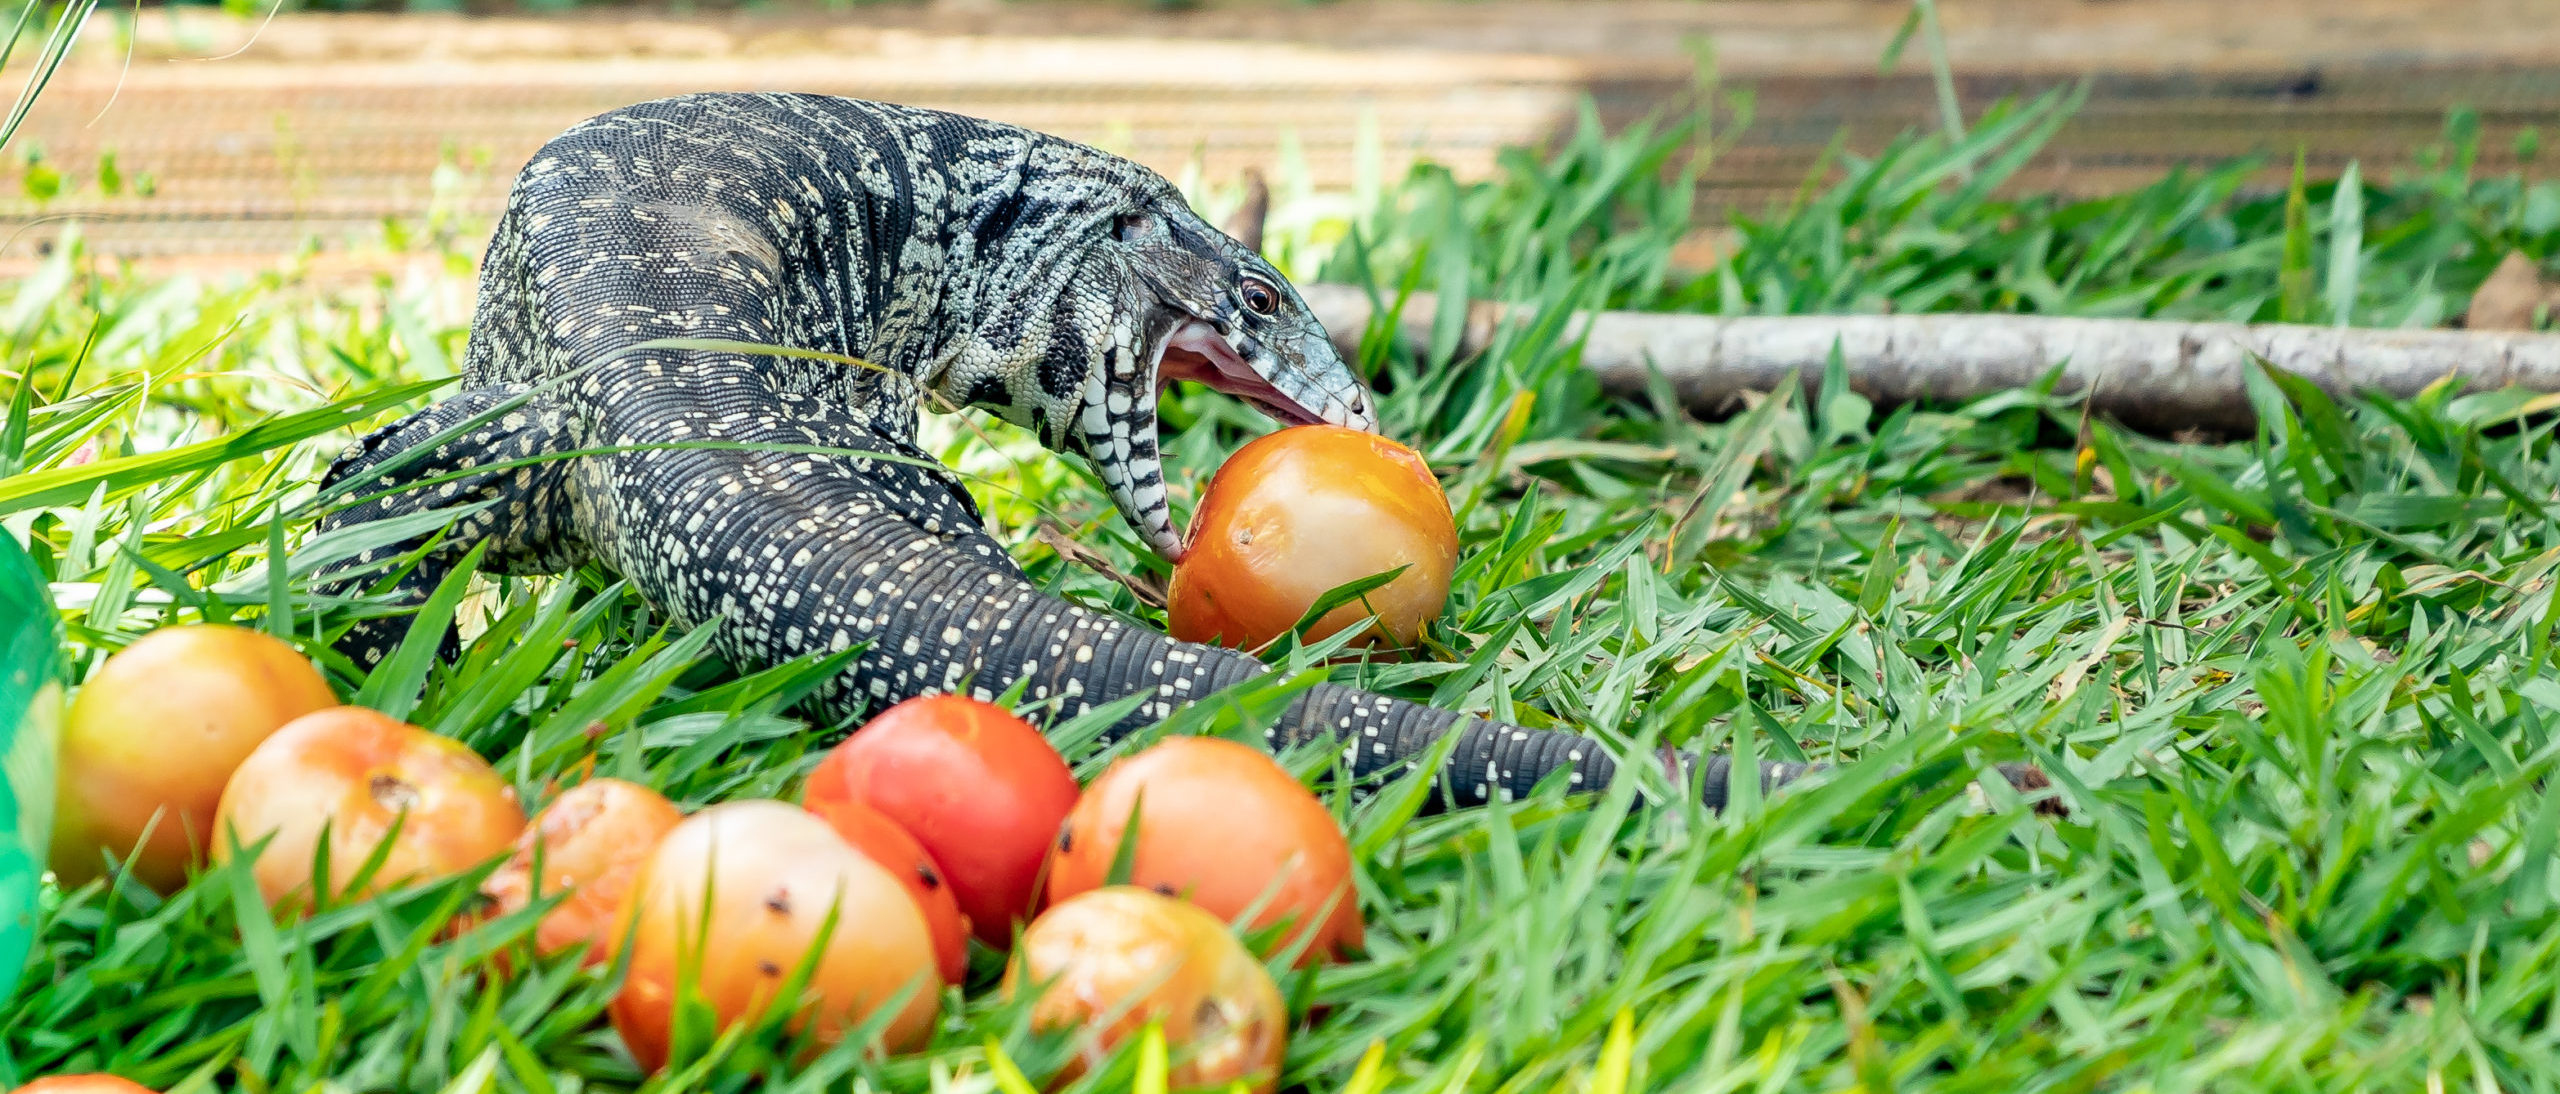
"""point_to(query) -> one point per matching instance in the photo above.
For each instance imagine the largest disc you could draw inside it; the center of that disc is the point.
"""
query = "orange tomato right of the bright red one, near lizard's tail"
(1220, 826)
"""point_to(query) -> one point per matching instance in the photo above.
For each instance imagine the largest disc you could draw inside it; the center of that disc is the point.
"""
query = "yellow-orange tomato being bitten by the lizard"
(1307, 511)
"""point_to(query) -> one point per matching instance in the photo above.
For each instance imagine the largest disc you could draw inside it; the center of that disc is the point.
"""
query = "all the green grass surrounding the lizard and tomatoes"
(2298, 688)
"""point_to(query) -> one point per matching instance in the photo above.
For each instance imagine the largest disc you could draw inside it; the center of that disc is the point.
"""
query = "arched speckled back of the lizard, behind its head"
(859, 227)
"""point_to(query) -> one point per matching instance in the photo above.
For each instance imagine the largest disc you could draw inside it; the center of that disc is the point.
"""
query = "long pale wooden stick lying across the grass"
(2154, 375)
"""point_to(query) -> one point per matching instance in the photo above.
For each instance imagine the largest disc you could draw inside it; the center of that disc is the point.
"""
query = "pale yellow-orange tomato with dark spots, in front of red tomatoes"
(772, 872)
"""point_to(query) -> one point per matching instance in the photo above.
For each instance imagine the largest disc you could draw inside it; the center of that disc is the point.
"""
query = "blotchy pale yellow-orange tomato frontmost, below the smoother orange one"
(1115, 959)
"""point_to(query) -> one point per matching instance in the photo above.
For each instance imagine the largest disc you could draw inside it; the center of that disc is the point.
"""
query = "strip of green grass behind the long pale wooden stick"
(1908, 229)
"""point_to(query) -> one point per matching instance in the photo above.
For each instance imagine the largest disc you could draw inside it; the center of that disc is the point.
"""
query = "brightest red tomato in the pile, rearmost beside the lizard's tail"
(979, 788)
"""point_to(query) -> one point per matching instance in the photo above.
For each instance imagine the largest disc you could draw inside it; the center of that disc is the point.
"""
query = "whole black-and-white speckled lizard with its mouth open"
(972, 265)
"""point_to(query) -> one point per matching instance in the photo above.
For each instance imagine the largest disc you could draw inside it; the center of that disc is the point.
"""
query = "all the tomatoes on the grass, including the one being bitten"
(941, 824)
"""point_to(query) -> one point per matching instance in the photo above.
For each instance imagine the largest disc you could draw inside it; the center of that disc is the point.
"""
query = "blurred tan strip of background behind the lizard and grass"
(311, 132)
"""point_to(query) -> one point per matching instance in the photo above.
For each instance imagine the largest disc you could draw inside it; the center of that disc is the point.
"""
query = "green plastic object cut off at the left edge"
(32, 703)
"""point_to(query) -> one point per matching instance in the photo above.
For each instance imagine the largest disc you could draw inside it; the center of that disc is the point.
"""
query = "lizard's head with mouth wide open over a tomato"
(1161, 298)
